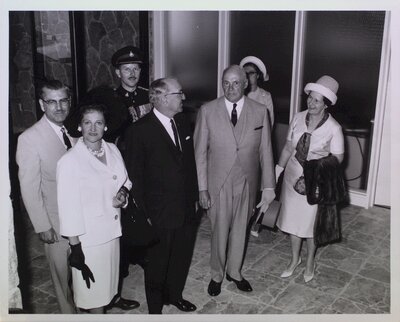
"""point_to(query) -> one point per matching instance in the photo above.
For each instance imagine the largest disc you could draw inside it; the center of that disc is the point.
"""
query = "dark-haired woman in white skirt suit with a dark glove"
(92, 186)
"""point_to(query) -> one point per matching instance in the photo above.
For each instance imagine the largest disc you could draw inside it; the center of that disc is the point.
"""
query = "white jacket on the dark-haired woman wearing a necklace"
(86, 187)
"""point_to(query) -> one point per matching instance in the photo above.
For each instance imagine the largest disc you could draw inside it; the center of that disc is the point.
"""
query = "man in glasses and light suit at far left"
(38, 150)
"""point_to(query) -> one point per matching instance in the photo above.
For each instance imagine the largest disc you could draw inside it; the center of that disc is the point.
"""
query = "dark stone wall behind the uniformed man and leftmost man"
(104, 33)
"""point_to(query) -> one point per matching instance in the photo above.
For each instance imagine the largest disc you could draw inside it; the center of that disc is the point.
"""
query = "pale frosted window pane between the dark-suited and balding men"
(192, 54)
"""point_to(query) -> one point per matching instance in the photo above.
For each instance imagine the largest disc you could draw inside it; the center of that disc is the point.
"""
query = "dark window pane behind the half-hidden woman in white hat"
(267, 35)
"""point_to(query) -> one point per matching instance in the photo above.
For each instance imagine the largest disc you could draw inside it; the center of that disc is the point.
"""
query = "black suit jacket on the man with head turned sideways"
(164, 178)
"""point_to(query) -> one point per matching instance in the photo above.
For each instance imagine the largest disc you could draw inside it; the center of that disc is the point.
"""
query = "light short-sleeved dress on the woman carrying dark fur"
(297, 216)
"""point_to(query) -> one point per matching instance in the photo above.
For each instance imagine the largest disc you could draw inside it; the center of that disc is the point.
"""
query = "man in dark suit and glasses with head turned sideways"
(160, 163)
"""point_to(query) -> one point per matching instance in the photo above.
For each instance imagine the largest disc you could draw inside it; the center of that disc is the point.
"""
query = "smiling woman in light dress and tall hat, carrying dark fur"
(313, 134)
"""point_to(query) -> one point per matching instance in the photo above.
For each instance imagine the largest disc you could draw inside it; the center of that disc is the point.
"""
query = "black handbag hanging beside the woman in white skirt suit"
(137, 229)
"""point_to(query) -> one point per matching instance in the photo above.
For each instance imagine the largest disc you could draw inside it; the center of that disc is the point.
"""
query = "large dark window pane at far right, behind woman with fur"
(347, 46)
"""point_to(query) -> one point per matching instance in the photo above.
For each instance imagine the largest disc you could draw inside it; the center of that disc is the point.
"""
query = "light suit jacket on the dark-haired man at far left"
(38, 151)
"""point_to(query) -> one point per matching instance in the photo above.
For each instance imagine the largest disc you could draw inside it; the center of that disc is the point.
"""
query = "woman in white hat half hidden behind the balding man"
(256, 75)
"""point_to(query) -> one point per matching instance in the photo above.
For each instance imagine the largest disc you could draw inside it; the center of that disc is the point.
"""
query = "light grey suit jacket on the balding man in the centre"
(217, 148)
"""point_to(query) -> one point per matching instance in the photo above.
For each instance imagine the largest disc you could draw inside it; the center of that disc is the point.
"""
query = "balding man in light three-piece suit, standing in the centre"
(233, 149)
